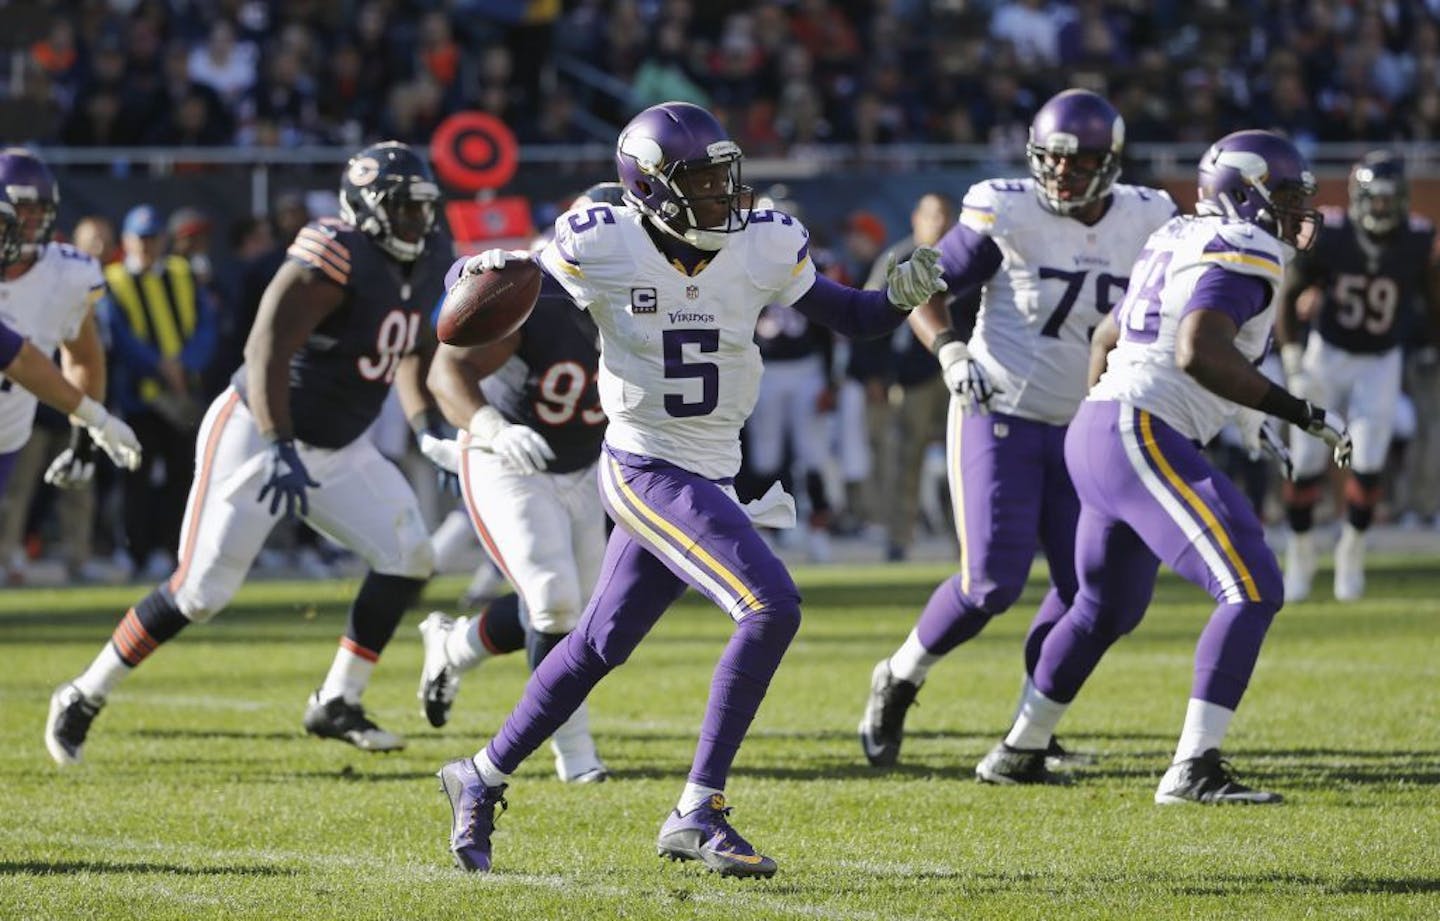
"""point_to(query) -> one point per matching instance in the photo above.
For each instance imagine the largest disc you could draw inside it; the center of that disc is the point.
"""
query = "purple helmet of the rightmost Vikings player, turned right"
(1262, 179)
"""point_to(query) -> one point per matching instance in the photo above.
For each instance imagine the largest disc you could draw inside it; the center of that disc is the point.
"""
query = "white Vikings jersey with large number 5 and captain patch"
(679, 365)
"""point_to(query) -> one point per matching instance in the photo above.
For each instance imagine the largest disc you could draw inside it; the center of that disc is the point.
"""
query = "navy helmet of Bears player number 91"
(390, 195)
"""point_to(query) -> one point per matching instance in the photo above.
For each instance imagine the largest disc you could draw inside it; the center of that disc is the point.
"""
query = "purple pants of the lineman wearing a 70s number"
(1012, 496)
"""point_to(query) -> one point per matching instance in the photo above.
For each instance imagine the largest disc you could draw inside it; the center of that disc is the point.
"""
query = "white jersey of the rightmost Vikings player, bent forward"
(1141, 371)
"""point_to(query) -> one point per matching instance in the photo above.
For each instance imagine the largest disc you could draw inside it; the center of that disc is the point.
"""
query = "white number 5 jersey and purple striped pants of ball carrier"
(679, 376)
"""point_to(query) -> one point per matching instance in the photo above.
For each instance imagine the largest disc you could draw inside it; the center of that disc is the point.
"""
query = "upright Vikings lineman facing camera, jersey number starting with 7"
(1048, 258)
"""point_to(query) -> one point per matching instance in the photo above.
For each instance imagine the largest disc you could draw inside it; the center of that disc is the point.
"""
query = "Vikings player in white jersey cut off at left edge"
(48, 294)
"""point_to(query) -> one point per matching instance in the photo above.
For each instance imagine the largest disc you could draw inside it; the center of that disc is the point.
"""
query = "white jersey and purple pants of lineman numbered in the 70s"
(1045, 283)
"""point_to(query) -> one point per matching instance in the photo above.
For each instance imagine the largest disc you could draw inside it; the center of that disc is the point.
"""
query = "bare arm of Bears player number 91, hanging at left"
(292, 309)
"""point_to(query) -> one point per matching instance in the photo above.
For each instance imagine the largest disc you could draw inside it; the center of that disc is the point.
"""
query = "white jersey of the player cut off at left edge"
(47, 306)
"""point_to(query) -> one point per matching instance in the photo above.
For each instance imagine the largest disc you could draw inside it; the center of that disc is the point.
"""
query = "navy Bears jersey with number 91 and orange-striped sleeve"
(342, 375)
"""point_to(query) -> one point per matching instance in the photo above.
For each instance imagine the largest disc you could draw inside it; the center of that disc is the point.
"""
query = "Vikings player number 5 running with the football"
(676, 281)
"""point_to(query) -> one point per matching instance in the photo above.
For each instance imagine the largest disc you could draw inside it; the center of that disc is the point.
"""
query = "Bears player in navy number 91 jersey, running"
(343, 320)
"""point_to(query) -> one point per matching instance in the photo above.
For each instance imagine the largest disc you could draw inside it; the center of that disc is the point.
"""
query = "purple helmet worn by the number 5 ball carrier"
(683, 171)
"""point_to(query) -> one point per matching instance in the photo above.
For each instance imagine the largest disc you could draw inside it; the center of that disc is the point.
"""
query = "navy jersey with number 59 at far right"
(1370, 286)
